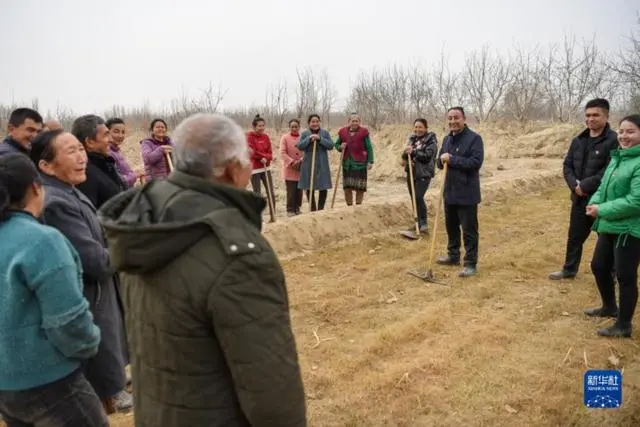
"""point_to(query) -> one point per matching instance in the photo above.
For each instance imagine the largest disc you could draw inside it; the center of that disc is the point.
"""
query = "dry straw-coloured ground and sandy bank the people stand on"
(508, 347)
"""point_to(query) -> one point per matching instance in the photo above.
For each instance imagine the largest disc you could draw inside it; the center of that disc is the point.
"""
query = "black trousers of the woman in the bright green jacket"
(623, 253)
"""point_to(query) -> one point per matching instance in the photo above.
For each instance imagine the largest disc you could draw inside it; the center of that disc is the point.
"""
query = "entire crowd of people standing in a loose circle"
(174, 277)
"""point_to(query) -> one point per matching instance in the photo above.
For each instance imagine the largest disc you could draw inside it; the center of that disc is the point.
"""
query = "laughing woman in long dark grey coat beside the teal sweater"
(62, 162)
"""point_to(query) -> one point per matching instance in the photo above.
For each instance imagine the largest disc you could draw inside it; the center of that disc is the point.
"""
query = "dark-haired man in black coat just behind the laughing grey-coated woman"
(103, 181)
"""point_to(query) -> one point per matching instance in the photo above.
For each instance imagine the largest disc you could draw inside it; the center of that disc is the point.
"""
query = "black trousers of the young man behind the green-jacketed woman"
(579, 229)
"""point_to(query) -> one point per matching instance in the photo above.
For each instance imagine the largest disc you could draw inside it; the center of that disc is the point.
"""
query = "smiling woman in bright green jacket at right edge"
(616, 209)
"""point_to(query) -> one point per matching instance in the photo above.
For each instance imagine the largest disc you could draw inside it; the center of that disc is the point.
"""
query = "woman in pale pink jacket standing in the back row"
(291, 162)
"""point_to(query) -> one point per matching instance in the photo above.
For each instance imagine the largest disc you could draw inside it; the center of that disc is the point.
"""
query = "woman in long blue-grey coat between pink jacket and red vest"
(321, 139)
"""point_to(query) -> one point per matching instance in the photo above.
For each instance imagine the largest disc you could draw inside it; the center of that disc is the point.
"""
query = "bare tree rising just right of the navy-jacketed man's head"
(486, 78)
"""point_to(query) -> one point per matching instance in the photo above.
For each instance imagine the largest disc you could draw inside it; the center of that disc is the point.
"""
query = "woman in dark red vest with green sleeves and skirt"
(355, 145)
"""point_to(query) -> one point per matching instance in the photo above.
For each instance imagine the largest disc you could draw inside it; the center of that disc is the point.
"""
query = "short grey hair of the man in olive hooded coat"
(206, 143)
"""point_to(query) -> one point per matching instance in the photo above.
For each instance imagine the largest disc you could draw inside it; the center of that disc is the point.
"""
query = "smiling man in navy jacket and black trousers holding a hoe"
(463, 151)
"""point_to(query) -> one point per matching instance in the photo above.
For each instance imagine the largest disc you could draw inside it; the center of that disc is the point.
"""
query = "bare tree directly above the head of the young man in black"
(571, 74)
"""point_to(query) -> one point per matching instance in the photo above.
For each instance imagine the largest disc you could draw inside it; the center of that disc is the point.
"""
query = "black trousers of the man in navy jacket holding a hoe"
(465, 217)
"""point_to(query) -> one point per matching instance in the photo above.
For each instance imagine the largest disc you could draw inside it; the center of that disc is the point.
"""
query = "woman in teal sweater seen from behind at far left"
(47, 328)
